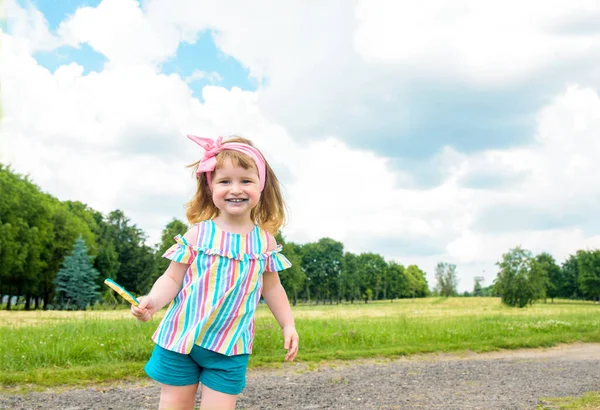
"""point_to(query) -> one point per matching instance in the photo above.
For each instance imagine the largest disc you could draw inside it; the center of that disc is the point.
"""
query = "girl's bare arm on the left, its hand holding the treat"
(166, 287)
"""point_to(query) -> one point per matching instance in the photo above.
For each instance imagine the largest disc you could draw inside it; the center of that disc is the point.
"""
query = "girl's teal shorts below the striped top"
(225, 374)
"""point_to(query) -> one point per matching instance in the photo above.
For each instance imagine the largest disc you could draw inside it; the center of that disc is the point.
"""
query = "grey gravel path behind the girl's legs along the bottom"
(502, 380)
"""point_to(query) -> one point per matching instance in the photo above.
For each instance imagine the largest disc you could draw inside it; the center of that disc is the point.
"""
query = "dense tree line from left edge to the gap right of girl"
(56, 254)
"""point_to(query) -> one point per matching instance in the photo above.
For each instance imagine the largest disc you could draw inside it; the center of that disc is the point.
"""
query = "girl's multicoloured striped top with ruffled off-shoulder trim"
(221, 289)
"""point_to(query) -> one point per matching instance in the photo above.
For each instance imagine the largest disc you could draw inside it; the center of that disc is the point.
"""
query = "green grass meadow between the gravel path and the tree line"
(47, 349)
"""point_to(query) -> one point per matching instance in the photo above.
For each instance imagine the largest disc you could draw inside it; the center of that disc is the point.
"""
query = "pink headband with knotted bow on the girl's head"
(211, 147)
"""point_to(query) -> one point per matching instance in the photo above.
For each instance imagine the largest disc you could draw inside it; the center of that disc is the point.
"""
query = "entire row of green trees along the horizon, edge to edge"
(48, 246)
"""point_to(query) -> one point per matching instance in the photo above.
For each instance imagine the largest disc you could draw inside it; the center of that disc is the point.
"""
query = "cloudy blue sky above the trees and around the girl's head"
(427, 132)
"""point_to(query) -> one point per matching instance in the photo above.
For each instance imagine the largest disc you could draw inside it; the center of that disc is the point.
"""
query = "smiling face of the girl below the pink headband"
(236, 191)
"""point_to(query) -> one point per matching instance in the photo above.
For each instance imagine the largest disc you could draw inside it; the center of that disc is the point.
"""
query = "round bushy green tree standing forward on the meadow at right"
(520, 282)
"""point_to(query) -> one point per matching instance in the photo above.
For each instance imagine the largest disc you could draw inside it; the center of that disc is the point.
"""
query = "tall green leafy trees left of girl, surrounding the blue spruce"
(37, 232)
